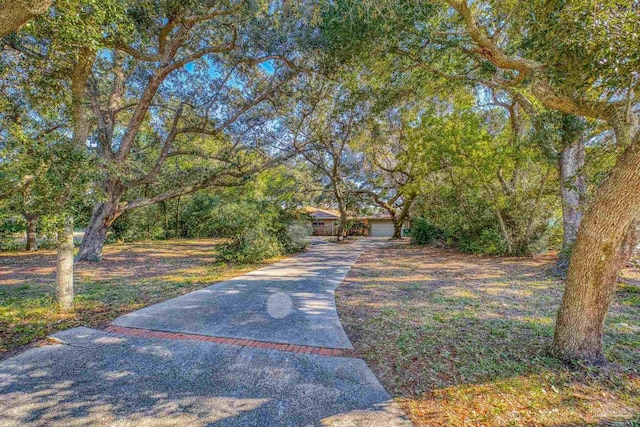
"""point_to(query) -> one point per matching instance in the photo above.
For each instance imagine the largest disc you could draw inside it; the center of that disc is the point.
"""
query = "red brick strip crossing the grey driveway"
(146, 333)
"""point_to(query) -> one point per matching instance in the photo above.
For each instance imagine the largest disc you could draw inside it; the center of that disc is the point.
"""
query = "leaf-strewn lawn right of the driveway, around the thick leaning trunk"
(463, 340)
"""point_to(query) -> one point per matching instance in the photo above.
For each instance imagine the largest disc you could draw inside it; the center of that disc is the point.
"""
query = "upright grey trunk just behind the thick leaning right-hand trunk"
(572, 190)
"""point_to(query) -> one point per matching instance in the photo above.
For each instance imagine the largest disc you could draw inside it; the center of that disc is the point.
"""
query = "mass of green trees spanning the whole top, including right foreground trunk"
(500, 127)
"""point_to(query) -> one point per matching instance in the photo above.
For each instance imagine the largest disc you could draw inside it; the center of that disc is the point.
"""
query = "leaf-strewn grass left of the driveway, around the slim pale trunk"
(130, 277)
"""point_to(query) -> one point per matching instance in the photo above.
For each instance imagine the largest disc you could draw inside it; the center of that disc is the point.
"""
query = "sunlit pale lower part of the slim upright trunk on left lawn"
(64, 270)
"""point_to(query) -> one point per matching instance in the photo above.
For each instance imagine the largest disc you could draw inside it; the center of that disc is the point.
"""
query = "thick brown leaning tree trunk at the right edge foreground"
(602, 247)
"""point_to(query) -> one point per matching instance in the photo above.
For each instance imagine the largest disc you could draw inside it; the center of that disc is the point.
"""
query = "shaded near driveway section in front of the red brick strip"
(110, 380)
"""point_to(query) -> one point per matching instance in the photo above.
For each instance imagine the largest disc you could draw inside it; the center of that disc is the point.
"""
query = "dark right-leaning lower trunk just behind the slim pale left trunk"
(96, 232)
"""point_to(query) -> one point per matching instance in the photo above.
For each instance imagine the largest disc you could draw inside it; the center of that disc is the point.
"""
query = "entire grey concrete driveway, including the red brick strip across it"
(258, 350)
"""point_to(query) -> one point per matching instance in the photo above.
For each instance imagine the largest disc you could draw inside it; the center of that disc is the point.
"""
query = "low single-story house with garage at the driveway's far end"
(324, 223)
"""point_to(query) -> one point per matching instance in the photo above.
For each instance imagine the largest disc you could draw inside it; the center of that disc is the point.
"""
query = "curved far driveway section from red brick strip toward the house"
(289, 302)
